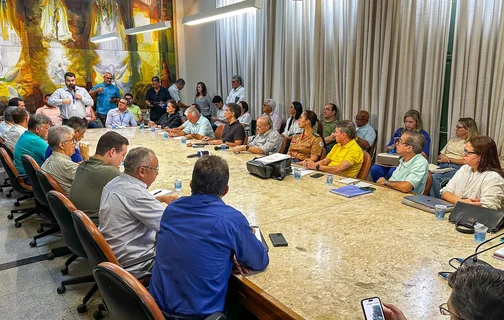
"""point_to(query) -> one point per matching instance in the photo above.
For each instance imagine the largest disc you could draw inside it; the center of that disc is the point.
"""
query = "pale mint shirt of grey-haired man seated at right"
(414, 171)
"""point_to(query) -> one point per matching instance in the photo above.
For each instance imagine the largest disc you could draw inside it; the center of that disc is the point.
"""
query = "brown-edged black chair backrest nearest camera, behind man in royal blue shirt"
(124, 296)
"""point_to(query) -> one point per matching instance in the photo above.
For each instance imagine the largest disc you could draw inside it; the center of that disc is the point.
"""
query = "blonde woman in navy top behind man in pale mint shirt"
(413, 122)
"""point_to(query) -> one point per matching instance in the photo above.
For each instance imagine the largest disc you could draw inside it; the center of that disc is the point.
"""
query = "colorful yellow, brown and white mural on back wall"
(40, 40)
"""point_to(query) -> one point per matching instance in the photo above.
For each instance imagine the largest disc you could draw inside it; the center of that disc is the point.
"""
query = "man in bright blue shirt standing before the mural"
(107, 96)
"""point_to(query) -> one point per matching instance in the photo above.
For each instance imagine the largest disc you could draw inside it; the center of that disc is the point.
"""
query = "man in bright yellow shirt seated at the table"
(346, 156)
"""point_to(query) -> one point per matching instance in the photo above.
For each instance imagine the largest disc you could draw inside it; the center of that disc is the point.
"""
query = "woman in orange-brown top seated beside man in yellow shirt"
(308, 144)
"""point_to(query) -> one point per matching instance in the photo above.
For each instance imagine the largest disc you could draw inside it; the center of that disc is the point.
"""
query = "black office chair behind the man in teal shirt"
(31, 166)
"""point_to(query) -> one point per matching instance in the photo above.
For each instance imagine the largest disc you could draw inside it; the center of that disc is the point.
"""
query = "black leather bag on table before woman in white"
(466, 215)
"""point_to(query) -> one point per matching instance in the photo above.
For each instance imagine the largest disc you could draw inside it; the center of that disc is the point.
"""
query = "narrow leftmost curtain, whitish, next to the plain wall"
(245, 47)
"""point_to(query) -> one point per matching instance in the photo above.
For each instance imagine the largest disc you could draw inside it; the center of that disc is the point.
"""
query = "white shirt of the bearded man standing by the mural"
(76, 107)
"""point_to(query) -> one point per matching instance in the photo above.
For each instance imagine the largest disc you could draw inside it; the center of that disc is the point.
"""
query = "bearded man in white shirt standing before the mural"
(71, 99)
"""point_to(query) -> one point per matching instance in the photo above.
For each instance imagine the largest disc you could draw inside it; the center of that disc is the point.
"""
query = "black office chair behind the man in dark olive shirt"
(62, 209)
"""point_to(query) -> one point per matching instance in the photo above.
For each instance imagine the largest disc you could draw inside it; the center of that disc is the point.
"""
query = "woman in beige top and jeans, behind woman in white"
(451, 155)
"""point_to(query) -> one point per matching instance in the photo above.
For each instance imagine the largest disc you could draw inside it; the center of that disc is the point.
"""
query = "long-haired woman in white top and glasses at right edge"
(480, 181)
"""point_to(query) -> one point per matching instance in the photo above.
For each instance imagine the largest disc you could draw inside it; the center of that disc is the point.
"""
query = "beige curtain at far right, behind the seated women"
(477, 76)
